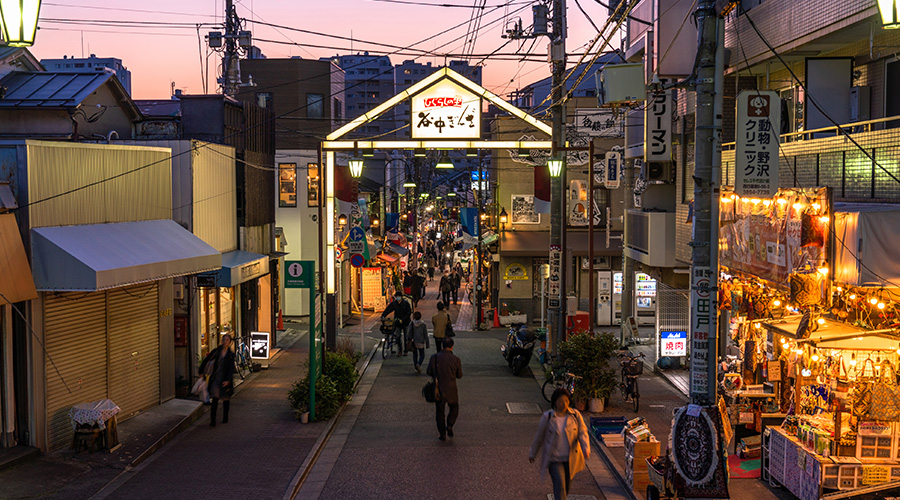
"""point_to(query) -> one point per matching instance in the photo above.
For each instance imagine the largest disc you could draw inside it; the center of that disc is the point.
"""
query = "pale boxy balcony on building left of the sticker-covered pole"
(650, 237)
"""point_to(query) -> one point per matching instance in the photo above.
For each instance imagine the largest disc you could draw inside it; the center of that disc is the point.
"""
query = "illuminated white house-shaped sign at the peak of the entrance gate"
(445, 110)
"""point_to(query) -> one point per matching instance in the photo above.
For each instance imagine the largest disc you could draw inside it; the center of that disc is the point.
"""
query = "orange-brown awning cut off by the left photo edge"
(17, 284)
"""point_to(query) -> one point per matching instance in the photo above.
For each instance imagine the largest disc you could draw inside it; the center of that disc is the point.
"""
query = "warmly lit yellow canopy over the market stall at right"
(836, 335)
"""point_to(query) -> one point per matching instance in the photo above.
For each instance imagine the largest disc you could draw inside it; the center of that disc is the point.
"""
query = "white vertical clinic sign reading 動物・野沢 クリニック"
(756, 172)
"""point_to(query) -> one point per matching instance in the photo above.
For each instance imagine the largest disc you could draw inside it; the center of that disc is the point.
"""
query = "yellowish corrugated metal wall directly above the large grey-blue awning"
(142, 190)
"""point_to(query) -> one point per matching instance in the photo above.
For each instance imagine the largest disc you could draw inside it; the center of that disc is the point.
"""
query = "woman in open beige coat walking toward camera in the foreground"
(563, 441)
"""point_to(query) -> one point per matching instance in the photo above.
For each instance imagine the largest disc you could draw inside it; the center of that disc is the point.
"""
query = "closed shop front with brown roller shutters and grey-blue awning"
(106, 318)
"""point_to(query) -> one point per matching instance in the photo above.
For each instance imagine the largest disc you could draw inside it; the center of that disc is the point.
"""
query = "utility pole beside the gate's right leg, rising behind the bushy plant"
(558, 208)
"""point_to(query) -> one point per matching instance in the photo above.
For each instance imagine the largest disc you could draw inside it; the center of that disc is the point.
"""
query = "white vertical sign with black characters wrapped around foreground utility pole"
(700, 348)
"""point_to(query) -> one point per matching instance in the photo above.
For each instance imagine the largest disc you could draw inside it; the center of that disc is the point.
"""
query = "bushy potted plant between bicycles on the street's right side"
(587, 356)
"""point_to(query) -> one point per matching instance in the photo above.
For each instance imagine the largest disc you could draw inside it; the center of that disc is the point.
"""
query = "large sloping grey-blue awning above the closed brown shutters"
(94, 257)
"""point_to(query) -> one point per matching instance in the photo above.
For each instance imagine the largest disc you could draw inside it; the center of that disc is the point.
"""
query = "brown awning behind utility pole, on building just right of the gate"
(537, 243)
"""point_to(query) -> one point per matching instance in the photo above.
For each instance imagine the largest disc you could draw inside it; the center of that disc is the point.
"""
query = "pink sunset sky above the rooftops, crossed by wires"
(158, 40)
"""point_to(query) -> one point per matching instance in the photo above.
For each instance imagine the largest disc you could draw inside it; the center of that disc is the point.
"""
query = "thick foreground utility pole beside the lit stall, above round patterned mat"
(707, 166)
